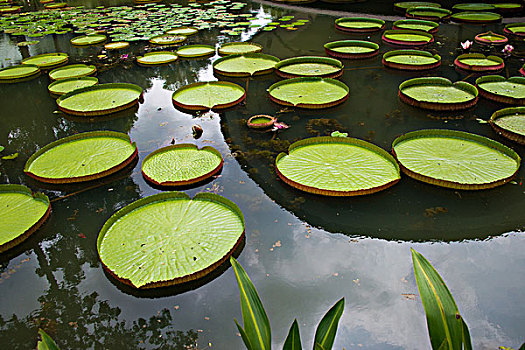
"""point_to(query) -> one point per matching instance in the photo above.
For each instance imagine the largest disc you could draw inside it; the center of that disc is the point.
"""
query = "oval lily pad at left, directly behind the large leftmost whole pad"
(100, 99)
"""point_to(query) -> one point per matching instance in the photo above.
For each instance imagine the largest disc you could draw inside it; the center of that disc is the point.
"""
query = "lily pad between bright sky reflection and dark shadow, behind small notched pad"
(203, 96)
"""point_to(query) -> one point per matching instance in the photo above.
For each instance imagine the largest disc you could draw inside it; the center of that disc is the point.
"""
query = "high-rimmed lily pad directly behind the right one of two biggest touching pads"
(438, 94)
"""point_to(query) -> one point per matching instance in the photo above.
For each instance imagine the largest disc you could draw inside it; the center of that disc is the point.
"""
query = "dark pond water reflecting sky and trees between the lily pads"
(303, 252)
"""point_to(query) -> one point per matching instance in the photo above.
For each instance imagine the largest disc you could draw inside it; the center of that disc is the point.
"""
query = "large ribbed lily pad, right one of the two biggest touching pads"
(455, 159)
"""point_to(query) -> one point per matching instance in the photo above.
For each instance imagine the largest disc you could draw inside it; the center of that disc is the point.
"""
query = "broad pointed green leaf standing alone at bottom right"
(445, 325)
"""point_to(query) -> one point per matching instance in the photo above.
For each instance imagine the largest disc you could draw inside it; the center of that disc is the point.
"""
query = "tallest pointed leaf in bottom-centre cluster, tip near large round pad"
(256, 323)
